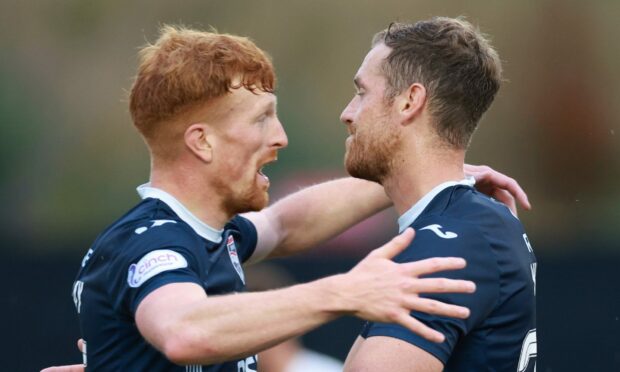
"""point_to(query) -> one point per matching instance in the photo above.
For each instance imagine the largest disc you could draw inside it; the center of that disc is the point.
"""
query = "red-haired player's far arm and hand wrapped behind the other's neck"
(315, 214)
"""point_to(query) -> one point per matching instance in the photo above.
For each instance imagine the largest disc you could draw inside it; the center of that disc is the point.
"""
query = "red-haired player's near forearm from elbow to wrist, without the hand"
(233, 326)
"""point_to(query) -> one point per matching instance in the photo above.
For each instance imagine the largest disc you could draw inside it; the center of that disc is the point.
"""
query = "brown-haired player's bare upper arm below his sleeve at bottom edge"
(390, 354)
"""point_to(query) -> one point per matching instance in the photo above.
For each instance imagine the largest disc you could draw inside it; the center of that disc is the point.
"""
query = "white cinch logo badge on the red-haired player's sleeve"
(153, 263)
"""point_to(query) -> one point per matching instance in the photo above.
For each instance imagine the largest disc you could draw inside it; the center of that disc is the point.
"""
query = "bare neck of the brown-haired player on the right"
(410, 180)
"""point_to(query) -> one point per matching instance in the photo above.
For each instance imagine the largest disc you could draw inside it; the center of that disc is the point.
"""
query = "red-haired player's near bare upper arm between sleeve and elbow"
(157, 314)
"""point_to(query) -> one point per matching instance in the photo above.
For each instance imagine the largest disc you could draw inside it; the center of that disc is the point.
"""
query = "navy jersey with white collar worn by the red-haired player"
(156, 243)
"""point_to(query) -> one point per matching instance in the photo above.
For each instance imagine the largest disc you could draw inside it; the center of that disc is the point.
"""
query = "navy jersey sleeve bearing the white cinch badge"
(160, 256)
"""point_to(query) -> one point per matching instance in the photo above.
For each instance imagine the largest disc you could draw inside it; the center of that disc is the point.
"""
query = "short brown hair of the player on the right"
(456, 64)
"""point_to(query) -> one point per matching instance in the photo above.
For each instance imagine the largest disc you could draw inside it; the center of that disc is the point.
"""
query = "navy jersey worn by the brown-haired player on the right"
(454, 220)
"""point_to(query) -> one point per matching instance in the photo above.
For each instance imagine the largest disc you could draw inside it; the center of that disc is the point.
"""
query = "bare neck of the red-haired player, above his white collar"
(191, 191)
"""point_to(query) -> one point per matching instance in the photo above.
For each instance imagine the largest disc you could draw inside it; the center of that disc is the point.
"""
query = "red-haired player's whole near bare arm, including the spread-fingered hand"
(188, 327)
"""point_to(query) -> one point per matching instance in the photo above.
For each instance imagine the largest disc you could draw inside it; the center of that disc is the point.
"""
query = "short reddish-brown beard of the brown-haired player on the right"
(371, 150)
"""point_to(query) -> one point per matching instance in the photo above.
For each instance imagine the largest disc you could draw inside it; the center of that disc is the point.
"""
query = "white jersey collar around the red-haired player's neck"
(201, 228)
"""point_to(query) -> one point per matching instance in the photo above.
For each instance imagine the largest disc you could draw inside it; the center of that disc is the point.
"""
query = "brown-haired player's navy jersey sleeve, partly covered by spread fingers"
(448, 238)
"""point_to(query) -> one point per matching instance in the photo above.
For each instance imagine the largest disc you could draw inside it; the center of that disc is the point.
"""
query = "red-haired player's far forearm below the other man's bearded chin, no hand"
(315, 214)
